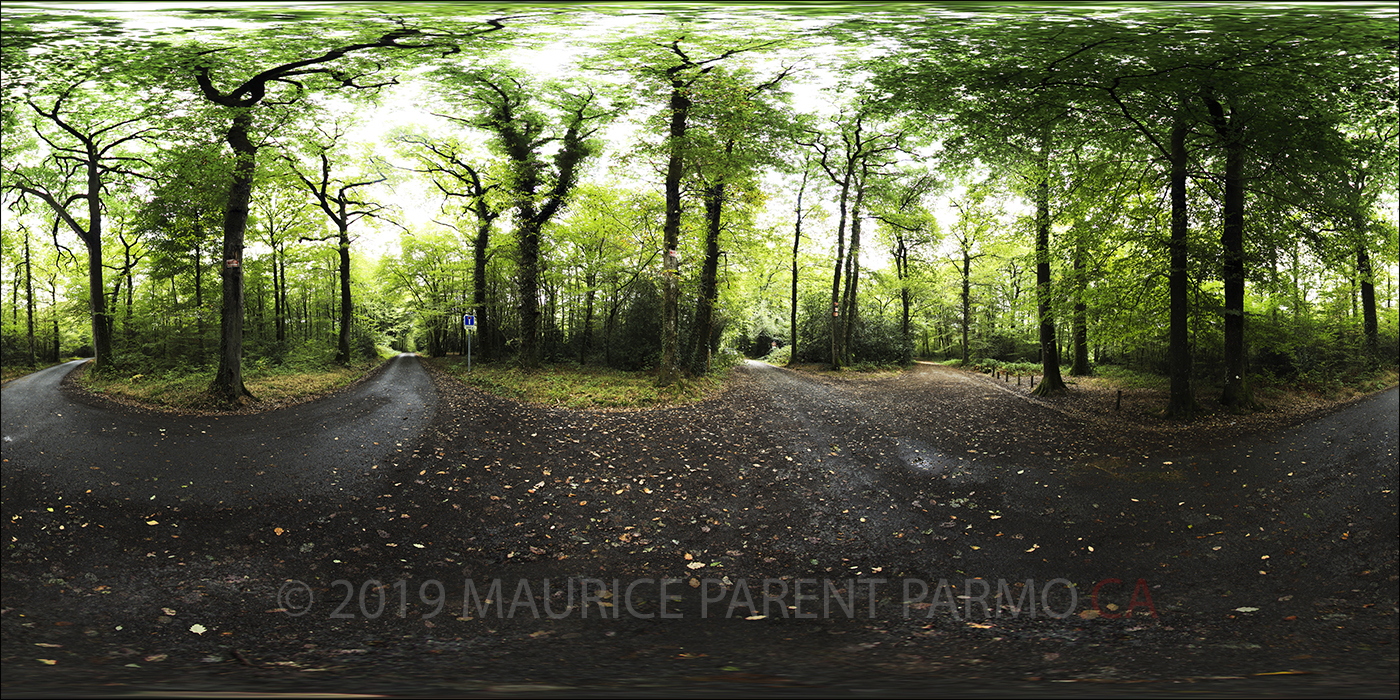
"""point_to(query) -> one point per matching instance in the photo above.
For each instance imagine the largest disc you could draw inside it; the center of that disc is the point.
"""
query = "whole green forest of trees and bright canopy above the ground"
(1206, 194)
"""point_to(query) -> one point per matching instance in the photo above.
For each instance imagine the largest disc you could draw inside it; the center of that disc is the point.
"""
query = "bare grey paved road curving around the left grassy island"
(302, 451)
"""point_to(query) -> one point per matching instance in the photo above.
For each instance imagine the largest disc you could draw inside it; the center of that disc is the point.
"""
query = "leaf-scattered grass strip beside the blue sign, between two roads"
(573, 387)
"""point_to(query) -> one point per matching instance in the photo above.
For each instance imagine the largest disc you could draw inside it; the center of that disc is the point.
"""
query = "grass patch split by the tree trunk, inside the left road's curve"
(188, 390)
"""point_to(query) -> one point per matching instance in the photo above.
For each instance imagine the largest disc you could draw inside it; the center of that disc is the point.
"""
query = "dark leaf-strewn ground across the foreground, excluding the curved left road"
(934, 531)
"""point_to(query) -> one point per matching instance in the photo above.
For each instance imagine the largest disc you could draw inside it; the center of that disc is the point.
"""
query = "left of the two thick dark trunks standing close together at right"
(1182, 402)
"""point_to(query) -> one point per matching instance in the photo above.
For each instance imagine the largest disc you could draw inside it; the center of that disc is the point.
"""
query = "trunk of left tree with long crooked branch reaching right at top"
(229, 380)
